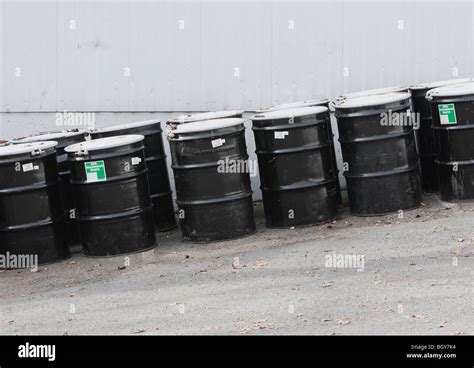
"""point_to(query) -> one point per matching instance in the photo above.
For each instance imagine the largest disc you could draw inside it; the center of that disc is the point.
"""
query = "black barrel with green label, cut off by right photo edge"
(452, 109)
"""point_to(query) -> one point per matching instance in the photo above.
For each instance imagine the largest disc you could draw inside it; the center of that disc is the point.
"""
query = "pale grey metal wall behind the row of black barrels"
(130, 60)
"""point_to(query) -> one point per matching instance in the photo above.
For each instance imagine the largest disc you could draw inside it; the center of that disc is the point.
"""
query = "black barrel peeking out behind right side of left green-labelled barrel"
(160, 189)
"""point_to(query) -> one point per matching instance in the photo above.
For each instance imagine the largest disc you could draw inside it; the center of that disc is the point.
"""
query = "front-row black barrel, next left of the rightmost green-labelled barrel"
(379, 152)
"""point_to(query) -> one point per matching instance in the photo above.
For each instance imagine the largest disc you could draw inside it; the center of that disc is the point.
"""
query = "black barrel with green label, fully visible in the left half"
(112, 195)
